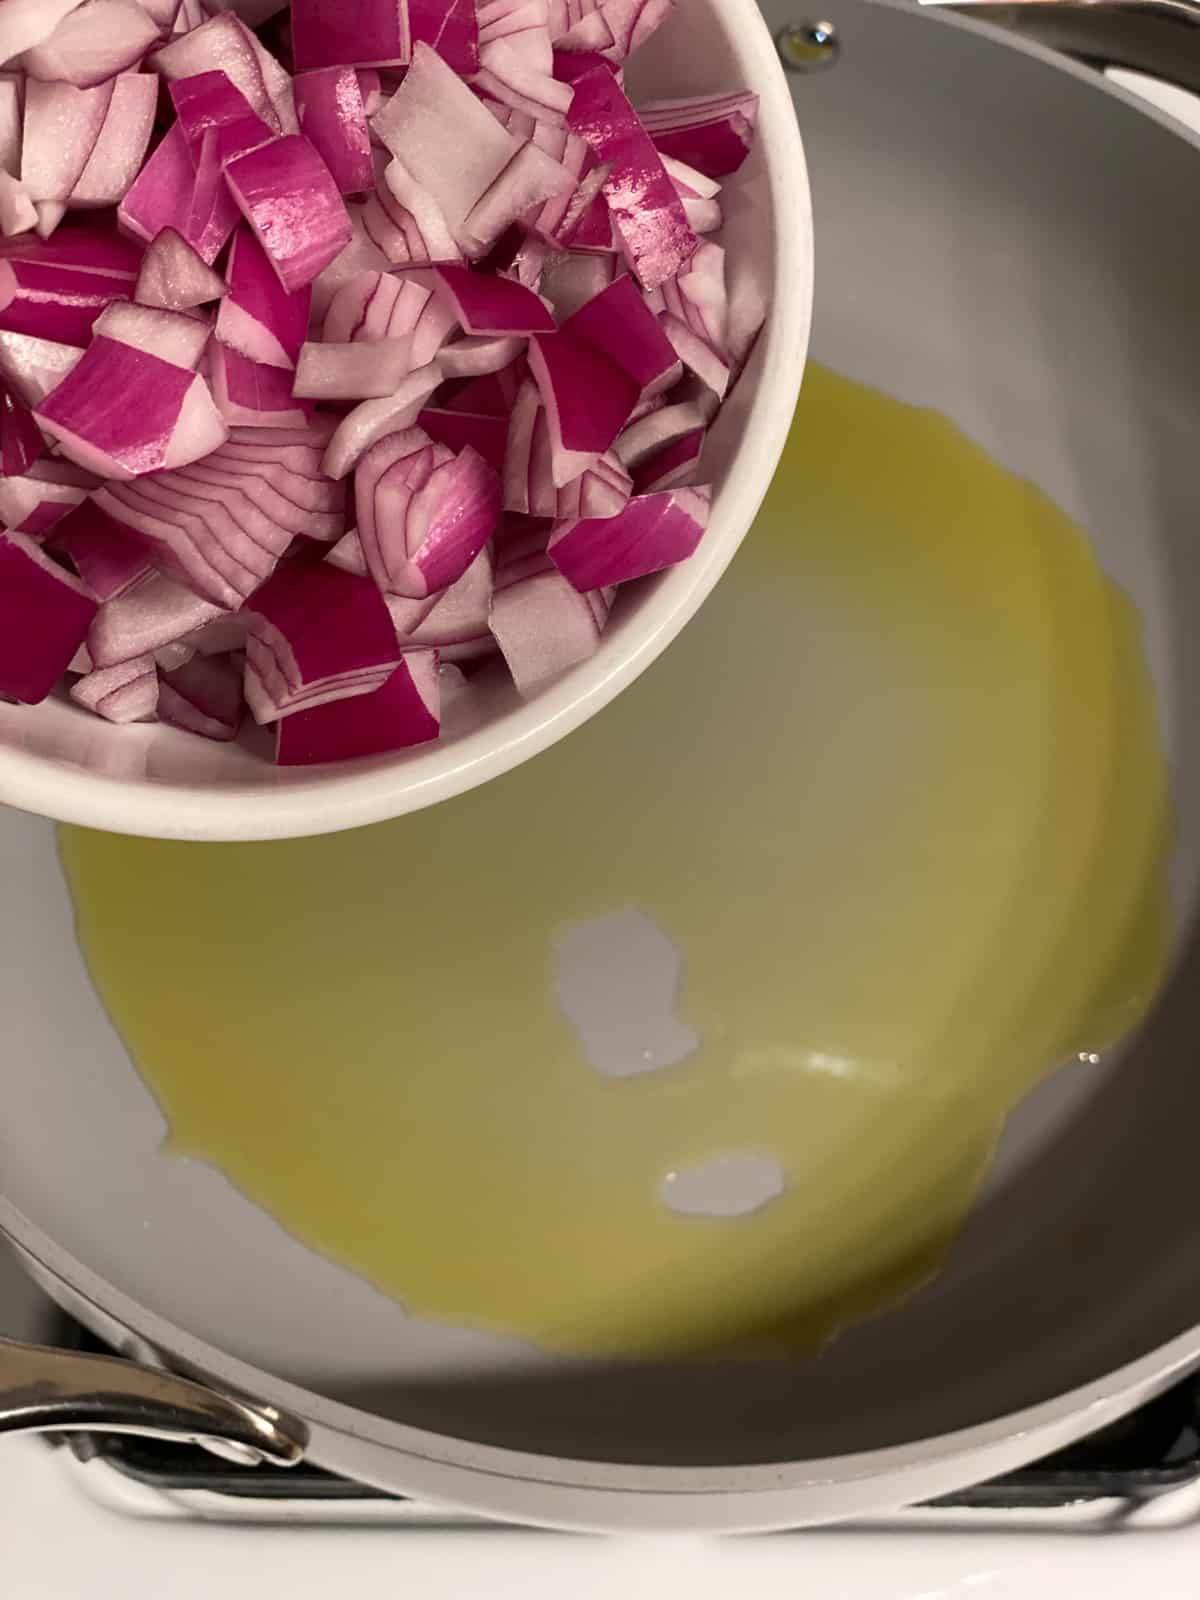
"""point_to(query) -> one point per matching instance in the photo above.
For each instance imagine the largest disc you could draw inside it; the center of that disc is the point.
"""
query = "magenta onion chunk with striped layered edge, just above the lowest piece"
(318, 634)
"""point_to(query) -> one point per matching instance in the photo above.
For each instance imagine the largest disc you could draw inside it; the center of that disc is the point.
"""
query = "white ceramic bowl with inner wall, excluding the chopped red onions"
(63, 762)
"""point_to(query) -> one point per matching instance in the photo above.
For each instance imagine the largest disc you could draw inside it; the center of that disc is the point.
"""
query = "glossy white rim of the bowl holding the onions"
(334, 799)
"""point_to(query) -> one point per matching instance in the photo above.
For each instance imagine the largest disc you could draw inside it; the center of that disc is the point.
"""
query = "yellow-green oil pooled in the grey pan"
(898, 799)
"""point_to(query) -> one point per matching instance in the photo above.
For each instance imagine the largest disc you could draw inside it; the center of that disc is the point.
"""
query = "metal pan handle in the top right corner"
(1159, 38)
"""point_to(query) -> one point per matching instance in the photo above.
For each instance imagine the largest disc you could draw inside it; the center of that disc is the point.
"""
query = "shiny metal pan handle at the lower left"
(47, 1391)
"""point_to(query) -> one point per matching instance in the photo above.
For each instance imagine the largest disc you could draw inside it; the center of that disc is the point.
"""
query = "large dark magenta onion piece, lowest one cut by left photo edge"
(46, 617)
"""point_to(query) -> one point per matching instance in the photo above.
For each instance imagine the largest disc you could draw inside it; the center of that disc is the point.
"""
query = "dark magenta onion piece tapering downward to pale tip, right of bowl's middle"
(586, 396)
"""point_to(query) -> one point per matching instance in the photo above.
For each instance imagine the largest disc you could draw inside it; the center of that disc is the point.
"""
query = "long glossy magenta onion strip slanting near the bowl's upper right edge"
(642, 201)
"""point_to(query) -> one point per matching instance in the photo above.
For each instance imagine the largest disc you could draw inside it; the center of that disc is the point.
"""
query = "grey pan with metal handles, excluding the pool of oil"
(1009, 239)
